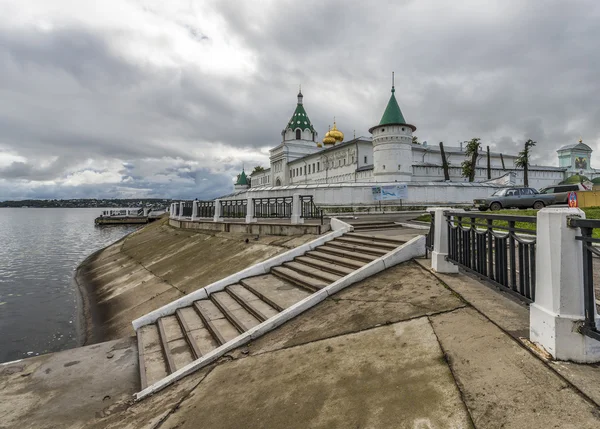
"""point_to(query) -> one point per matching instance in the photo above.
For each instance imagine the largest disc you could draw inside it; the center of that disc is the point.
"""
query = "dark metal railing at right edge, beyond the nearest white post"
(587, 227)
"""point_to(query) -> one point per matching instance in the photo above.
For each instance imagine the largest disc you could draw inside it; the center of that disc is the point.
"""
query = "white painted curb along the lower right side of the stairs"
(409, 250)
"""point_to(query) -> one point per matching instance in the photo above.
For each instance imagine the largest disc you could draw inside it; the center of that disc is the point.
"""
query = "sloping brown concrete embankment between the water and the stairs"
(158, 264)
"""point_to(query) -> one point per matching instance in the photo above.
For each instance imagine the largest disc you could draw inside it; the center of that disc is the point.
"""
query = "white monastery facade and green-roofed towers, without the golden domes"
(390, 156)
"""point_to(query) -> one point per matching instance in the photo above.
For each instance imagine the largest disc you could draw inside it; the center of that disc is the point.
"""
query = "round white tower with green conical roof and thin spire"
(392, 144)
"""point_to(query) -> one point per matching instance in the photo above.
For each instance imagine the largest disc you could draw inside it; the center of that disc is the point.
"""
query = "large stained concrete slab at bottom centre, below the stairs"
(388, 377)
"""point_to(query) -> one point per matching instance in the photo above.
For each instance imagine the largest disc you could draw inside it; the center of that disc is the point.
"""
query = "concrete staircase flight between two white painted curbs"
(176, 340)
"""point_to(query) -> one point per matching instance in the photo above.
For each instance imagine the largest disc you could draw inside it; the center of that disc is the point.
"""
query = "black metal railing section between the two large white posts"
(493, 247)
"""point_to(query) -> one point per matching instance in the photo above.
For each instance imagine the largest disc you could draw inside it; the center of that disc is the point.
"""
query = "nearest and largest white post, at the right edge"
(559, 298)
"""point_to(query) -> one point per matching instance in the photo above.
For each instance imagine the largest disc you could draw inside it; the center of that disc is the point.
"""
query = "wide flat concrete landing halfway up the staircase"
(275, 291)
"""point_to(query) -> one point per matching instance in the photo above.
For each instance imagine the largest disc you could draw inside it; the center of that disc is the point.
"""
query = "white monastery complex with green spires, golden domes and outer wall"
(389, 156)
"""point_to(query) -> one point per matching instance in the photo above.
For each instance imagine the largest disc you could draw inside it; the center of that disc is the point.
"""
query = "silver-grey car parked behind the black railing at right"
(522, 198)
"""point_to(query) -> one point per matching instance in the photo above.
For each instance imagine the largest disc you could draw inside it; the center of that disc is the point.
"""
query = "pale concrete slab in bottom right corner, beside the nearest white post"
(504, 385)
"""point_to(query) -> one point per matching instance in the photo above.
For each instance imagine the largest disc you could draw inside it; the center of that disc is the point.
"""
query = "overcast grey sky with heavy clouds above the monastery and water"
(170, 98)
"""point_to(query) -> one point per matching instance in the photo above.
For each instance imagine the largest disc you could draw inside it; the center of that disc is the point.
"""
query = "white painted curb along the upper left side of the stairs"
(339, 228)
